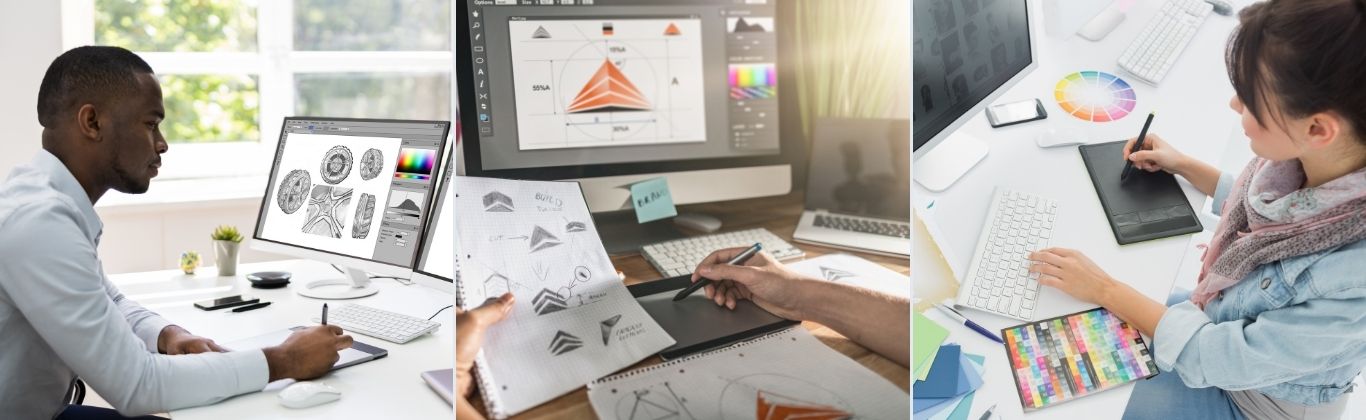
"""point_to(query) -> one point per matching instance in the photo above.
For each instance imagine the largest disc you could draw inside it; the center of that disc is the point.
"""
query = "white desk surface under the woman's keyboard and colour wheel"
(1193, 116)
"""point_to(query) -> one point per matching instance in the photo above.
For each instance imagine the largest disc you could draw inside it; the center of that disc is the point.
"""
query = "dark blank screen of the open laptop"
(861, 168)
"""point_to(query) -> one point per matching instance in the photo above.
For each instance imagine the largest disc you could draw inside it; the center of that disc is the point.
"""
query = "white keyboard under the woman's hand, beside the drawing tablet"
(998, 280)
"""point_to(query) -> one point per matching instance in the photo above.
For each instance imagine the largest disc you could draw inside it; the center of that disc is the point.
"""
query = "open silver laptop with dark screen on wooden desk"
(859, 187)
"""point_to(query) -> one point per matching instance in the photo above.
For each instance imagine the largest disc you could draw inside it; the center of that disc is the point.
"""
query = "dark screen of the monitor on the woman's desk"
(964, 53)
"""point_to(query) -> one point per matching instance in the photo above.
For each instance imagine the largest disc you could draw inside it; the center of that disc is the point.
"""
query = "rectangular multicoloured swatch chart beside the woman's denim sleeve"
(1073, 356)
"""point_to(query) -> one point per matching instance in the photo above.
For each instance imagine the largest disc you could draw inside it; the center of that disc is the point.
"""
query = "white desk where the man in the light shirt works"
(382, 389)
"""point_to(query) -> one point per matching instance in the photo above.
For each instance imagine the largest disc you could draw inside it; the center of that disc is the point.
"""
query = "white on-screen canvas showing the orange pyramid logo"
(588, 83)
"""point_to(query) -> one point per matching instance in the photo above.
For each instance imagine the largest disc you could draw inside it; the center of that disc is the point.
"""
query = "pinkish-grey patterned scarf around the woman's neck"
(1270, 217)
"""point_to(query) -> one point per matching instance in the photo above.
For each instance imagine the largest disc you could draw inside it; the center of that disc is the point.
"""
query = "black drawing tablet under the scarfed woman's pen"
(1148, 207)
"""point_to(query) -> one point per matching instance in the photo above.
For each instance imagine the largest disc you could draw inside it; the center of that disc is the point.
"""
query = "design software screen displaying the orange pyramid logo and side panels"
(615, 81)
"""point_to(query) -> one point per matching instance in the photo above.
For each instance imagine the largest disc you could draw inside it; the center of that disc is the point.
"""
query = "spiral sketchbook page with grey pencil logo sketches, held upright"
(574, 319)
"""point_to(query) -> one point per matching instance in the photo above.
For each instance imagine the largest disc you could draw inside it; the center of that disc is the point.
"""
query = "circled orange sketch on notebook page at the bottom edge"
(781, 397)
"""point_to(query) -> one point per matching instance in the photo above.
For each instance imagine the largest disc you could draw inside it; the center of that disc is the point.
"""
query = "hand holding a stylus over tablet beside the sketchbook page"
(762, 280)
